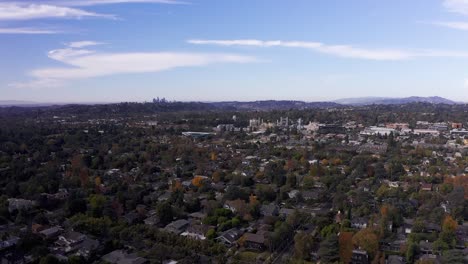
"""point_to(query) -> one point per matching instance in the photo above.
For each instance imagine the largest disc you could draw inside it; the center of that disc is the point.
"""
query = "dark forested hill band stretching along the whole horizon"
(135, 109)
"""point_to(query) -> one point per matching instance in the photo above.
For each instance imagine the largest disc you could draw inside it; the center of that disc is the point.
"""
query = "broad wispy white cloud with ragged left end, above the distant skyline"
(82, 64)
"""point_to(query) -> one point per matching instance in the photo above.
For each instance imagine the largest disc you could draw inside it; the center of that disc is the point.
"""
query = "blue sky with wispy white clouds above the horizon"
(223, 50)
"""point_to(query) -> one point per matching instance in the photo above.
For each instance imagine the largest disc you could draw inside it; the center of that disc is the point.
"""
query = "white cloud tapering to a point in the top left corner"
(27, 11)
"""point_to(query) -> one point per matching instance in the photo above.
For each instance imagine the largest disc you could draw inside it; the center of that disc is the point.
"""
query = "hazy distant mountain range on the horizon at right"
(391, 101)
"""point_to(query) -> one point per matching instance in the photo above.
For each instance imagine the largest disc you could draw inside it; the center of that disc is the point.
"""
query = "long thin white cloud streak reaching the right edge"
(345, 51)
